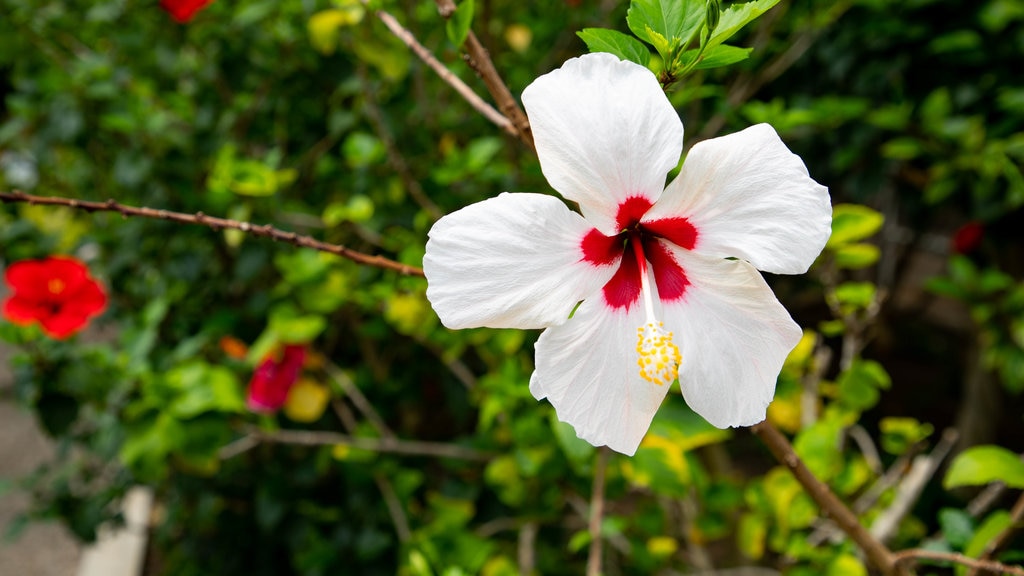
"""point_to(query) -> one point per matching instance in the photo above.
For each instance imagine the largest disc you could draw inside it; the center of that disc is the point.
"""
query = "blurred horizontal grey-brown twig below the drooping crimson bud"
(391, 446)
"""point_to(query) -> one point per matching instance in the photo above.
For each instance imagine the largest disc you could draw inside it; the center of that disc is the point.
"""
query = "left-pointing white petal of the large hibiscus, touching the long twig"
(510, 262)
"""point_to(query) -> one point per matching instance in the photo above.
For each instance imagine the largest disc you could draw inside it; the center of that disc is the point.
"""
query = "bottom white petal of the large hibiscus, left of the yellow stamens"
(587, 368)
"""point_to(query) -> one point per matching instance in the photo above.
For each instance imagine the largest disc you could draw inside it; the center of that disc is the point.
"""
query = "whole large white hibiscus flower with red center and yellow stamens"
(668, 277)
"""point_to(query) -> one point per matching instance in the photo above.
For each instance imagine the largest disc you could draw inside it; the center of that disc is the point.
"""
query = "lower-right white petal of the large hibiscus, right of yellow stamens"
(734, 337)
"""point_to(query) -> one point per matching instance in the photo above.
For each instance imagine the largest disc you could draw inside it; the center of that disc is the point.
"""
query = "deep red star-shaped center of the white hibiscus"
(641, 240)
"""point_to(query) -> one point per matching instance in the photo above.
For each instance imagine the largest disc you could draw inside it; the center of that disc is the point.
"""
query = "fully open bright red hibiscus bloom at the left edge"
(57, 293)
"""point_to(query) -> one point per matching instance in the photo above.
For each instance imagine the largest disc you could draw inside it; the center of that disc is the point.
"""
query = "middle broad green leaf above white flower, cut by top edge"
(667, 25)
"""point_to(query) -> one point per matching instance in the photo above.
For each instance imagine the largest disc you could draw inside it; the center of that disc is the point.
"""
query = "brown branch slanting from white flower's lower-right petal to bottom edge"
(877, 553)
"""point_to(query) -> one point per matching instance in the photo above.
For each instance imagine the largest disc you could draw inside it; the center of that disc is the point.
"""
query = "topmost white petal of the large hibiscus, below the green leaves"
(605, 132)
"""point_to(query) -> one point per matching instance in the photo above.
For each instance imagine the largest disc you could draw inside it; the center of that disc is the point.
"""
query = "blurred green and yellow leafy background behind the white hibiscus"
(311, 115)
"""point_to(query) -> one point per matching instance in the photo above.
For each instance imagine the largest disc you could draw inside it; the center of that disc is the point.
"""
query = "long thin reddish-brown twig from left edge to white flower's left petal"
(266, 231)
